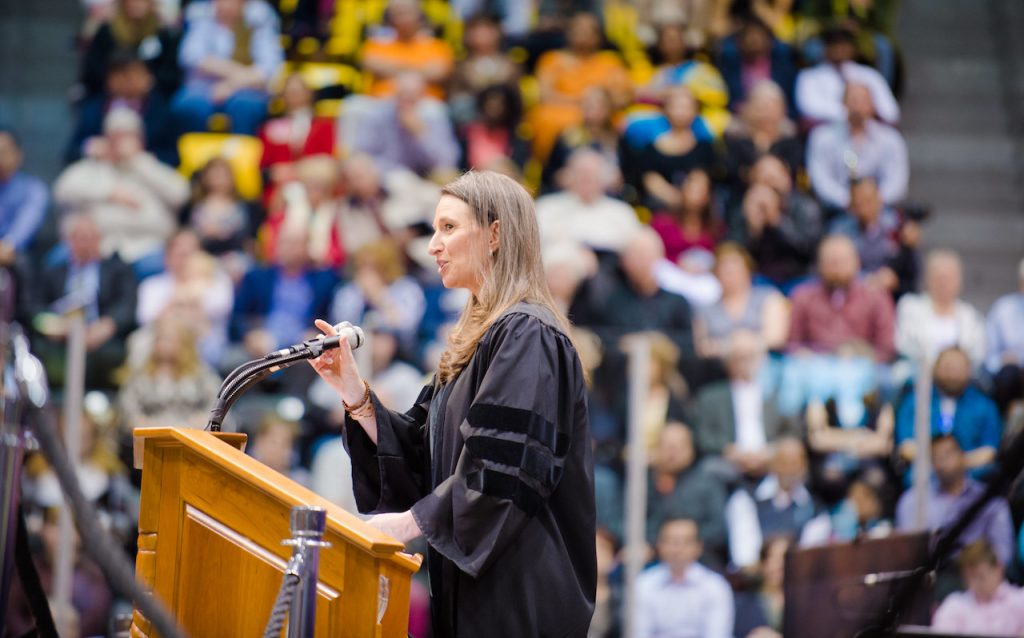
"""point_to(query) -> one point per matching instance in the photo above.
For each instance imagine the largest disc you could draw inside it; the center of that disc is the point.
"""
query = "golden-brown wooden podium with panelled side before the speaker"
(210, 530)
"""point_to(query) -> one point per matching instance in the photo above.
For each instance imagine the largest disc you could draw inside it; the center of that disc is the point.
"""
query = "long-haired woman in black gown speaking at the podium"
(493, 464)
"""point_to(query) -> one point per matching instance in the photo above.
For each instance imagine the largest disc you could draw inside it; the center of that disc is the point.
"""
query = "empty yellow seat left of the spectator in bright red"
(242, 152)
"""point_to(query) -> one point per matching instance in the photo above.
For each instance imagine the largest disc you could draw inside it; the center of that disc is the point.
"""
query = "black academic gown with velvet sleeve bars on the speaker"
(497, 470)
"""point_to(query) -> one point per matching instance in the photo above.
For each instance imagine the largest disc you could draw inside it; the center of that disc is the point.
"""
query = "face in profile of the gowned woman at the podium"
(460, 246)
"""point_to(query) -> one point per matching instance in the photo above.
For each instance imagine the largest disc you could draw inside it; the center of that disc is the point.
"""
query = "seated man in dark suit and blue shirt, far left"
(108, 289)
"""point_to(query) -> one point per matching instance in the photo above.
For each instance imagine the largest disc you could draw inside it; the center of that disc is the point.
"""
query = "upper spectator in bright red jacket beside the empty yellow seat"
(297, 135)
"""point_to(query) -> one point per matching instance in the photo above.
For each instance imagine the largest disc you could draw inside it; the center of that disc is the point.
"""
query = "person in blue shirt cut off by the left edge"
(24, 200)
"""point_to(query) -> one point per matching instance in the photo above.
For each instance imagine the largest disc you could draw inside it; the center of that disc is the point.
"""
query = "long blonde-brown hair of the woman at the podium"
(517, 272)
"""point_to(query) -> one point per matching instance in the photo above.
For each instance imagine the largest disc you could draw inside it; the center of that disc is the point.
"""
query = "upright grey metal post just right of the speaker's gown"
(636, 473)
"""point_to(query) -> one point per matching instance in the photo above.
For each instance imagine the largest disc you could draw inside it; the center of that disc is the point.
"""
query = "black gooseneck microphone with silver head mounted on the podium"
(251, 373)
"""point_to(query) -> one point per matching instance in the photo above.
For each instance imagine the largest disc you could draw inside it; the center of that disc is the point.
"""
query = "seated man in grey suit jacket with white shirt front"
(737, 423)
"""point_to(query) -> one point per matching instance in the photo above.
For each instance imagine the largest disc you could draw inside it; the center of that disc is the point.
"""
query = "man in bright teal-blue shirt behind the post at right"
(959, 409)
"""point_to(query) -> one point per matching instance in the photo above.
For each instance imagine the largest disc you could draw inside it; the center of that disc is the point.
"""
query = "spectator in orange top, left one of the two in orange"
(407, 49)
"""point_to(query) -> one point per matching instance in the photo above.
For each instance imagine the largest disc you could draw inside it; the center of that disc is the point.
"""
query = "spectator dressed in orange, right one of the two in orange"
(566, 75)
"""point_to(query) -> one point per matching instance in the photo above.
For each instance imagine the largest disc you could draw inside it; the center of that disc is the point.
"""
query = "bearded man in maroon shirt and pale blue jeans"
(841, 336)
